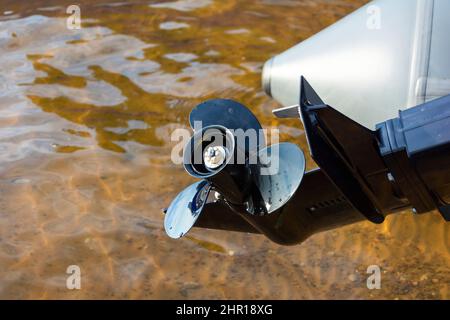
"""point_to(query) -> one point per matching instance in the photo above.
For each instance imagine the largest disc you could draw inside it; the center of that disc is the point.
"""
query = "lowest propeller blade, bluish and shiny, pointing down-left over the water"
(185, 209)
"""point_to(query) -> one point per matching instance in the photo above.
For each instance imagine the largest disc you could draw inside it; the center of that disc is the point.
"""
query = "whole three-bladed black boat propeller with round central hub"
(219, 156)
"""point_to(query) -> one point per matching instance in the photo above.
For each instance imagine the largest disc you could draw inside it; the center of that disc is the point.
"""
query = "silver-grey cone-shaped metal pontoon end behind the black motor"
(387, 56)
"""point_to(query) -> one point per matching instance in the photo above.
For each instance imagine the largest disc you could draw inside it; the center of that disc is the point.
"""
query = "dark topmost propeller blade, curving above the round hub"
(227, 113)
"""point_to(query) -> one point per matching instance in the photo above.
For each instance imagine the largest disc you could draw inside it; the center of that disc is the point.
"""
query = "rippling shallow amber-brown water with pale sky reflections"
(85, 121)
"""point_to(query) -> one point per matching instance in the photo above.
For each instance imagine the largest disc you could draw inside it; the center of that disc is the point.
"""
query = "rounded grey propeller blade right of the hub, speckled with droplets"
(279, 173)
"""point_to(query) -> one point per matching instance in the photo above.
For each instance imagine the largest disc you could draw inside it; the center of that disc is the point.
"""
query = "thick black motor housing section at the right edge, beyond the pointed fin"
(416, 146)
